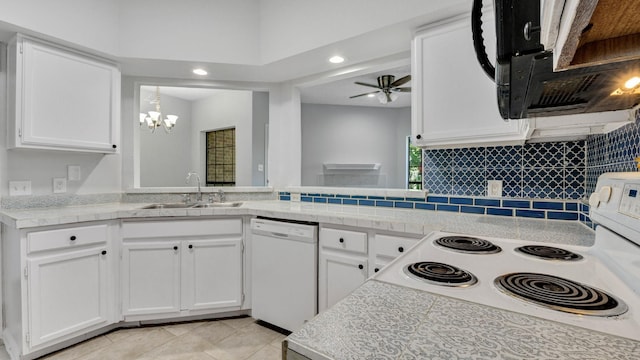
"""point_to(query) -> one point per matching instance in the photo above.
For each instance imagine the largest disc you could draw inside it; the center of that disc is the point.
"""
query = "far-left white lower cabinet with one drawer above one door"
(59, 283)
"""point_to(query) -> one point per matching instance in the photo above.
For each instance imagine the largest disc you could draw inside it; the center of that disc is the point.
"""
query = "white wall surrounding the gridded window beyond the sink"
(230, 108)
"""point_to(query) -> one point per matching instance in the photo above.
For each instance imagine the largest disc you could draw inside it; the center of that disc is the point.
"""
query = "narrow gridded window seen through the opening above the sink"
(221, 157)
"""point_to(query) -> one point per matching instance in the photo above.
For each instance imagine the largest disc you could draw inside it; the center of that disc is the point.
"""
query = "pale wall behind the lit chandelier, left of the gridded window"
(165, 158)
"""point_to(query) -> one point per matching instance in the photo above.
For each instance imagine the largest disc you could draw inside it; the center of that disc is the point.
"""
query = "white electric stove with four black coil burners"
(595, 287)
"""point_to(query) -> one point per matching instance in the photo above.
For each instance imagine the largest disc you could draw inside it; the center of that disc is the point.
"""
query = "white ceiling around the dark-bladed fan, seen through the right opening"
(338, 92)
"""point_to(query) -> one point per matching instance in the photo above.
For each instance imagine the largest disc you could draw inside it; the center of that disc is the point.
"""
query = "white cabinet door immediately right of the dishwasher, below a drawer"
(339, 275)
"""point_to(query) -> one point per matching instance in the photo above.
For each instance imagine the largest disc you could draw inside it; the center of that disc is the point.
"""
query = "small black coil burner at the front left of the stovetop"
(440, 274)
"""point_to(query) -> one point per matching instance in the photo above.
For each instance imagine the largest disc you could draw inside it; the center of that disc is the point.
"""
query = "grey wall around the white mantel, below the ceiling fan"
(354, 134)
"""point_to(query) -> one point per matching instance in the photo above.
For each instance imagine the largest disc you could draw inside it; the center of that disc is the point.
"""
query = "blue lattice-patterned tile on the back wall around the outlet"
(553, 170)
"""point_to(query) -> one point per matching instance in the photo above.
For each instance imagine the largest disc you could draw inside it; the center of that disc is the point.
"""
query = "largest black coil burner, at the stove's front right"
(560, 294)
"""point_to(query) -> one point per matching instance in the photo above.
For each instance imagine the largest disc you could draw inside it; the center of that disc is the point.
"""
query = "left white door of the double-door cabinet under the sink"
(151, 278)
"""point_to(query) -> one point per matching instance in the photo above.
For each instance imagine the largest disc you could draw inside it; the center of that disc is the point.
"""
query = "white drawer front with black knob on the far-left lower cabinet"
(60, 238)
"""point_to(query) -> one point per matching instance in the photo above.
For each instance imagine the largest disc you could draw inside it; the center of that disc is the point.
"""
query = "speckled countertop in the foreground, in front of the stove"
(385, 321)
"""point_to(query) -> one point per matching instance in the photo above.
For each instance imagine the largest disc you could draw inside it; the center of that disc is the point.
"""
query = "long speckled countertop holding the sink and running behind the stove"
(399, 220)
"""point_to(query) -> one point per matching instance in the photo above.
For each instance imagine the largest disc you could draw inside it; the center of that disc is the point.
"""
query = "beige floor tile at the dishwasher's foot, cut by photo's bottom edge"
(244, 343)
